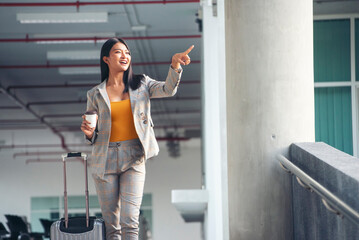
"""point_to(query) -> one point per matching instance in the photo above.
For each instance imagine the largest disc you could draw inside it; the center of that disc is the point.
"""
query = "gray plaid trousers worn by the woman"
(120, 191)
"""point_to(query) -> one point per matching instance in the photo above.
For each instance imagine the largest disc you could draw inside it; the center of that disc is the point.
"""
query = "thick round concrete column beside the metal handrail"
(270, 104)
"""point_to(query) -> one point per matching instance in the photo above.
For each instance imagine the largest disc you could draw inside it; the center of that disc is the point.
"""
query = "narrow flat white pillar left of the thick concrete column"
(214, 137)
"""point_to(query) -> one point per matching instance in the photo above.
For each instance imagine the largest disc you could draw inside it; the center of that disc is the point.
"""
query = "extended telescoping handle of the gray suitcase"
(84, 156)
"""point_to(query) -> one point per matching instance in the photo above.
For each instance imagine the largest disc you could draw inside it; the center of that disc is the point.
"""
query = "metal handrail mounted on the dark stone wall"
(330, 201)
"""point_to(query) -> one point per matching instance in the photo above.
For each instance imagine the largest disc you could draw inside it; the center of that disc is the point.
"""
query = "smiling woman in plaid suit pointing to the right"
(124, 138)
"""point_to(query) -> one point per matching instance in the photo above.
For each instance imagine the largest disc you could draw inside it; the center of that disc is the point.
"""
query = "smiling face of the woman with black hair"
(119, 58)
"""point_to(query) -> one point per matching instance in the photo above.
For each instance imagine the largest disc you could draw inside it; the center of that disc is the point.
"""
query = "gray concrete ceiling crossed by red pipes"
(36, 95)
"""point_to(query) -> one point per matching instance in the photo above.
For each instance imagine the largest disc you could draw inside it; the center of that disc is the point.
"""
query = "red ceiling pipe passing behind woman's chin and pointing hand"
(81, 65)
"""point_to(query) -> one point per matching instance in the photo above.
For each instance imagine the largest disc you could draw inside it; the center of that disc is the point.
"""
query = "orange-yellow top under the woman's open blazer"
(122, 125)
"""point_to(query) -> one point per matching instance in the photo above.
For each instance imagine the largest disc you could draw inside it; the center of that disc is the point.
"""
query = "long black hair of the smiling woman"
(129, 78)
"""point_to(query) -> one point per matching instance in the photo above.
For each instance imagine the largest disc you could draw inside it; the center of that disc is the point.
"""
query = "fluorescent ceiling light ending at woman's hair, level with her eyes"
(73, 55)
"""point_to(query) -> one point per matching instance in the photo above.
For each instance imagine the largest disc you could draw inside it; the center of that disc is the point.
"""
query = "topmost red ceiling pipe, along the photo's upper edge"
(77, 4)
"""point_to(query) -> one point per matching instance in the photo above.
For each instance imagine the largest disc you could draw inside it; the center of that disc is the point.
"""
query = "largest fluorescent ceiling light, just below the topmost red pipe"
(97, 17)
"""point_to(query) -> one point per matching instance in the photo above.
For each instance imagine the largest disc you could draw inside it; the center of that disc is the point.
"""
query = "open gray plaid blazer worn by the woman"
(98, 100)
